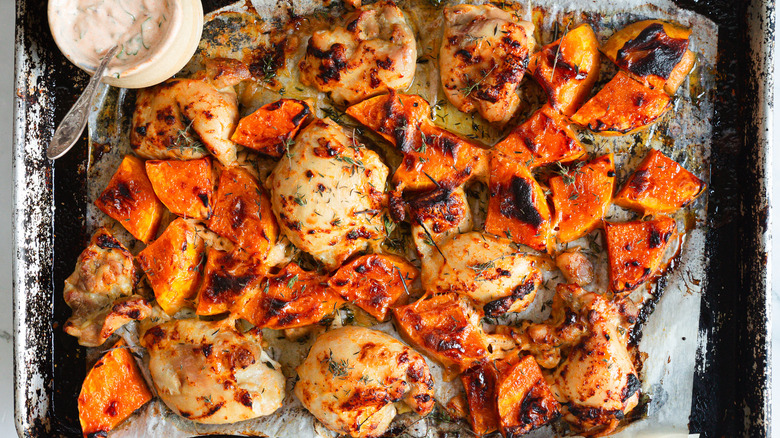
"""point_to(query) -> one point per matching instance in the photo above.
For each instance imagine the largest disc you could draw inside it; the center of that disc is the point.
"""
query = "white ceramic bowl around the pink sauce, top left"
(167, 56)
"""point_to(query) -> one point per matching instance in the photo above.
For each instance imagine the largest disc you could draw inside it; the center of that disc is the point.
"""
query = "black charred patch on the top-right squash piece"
(652, 52)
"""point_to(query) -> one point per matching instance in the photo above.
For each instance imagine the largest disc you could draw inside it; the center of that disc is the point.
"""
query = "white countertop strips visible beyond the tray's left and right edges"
(7, 429)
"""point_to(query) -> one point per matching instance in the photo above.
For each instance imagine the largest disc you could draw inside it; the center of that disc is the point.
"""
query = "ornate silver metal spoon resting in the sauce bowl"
(74, 122)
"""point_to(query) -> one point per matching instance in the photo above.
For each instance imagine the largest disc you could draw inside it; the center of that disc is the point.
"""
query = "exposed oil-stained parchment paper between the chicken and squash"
(669, 335)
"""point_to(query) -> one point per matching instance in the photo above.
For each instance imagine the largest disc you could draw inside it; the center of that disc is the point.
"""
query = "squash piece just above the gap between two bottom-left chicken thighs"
(291, 298)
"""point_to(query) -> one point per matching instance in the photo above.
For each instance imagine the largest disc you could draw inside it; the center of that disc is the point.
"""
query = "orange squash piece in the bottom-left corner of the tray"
(112, 391)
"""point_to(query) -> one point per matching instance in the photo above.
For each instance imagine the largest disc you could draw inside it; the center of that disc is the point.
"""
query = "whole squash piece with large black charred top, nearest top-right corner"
(654, 52)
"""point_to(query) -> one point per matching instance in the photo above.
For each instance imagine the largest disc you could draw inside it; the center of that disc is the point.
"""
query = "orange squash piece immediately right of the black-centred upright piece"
(581, 195)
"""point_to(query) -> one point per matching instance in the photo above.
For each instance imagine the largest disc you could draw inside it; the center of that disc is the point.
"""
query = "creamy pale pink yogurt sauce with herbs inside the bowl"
(89, 28)
